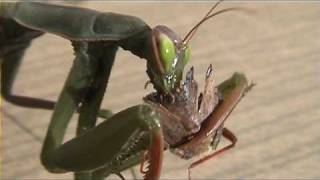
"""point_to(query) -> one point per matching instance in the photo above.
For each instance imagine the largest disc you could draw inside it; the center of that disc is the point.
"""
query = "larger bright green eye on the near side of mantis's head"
(167, 51)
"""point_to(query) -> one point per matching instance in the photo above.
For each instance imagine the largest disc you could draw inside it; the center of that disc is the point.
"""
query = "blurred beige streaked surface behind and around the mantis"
(277, 123)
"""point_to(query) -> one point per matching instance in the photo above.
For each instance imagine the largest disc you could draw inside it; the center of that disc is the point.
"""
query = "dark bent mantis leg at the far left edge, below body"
(14, 40)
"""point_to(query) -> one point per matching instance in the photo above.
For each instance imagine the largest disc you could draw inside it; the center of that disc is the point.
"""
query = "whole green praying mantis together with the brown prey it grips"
(175, 117)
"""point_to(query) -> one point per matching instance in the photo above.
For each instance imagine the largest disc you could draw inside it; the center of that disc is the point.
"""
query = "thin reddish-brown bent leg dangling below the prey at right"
(227, 134)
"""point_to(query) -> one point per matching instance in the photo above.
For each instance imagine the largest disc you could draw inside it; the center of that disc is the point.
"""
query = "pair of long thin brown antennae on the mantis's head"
(208, 15)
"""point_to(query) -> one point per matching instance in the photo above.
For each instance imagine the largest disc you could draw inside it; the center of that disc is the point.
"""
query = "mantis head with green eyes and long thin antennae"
(170, 54)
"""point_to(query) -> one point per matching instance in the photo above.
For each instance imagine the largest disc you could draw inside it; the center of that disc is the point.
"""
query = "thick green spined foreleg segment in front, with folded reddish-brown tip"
(135, 128)
